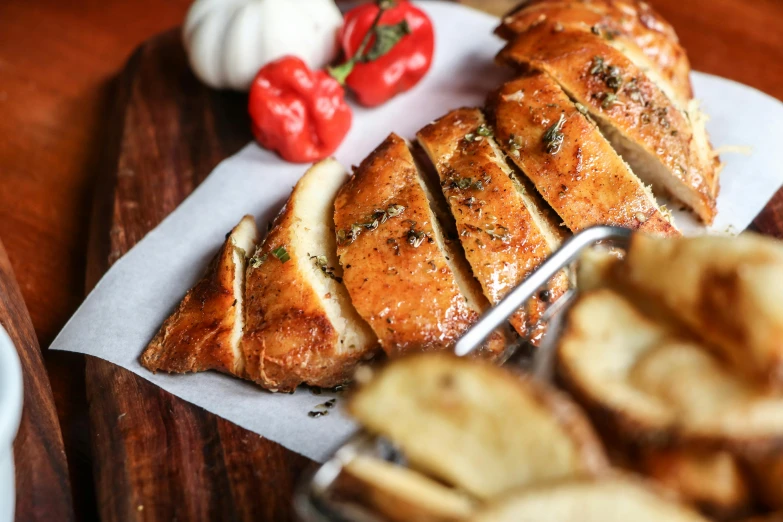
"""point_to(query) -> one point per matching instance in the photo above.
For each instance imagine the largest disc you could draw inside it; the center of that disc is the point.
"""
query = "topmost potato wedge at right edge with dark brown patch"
(728, 290)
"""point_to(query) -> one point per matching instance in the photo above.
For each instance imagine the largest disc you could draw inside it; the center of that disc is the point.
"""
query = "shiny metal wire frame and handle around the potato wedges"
(312, 502)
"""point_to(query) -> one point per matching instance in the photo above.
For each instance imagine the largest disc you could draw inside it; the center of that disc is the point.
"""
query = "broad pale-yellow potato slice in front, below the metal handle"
(476, 426)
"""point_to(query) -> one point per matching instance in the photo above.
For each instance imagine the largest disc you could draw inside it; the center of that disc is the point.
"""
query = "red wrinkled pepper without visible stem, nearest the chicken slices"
(299, 113)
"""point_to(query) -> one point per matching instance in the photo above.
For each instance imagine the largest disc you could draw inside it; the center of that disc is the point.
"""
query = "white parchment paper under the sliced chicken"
(126, 308)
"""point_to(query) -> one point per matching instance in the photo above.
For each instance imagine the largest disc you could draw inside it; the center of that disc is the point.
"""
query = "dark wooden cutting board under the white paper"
(158, 458)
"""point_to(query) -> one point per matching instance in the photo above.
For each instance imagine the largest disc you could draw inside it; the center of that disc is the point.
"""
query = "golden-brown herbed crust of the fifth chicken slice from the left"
(586, 182)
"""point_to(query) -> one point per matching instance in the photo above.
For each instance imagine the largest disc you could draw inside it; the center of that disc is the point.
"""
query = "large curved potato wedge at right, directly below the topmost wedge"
(652, 385)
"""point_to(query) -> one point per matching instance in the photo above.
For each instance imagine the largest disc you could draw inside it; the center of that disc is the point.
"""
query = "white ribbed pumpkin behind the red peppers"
(228, 41)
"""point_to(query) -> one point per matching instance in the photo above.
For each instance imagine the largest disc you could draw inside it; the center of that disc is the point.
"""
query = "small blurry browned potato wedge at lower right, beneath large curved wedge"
(713, 481)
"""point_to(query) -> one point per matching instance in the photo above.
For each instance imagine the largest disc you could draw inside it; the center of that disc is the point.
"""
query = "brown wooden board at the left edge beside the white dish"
(41, 468)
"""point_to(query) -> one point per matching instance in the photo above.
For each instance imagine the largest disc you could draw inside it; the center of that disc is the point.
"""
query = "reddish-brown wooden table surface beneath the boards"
(57, 64)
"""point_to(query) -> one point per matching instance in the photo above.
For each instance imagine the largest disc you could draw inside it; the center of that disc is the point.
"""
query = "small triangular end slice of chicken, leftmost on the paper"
(204, 332)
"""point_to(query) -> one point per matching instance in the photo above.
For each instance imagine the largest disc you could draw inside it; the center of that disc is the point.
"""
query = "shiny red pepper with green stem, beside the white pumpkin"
(389, 45)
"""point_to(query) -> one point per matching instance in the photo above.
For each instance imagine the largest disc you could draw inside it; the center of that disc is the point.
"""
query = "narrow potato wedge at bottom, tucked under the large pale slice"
(401, 494)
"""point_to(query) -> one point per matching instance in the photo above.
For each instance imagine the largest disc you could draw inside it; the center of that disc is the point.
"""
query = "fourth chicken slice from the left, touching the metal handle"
(505, 229)
